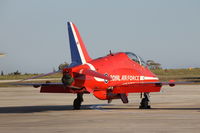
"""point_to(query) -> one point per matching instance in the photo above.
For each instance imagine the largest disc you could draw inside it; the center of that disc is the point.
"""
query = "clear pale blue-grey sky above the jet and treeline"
(34, 36)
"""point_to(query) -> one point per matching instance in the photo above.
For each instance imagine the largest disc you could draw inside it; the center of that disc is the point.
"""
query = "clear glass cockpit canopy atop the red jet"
(136, 58)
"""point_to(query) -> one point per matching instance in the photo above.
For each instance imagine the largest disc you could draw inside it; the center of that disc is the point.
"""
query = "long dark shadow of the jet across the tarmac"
(45, 108)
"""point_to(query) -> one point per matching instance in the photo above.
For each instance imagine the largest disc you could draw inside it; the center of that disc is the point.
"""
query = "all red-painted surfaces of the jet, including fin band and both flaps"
(125, 74)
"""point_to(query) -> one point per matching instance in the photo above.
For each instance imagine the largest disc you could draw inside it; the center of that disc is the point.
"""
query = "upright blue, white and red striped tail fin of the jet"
(79, 54)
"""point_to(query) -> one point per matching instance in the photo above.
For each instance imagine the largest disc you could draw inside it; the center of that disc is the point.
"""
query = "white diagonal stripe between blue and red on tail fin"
(78, 44)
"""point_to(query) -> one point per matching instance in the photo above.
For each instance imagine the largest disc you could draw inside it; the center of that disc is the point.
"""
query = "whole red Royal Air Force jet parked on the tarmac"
(110, 77)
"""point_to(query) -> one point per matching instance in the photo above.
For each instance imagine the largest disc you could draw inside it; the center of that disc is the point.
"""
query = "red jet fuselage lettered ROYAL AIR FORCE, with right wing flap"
(121, 69)
